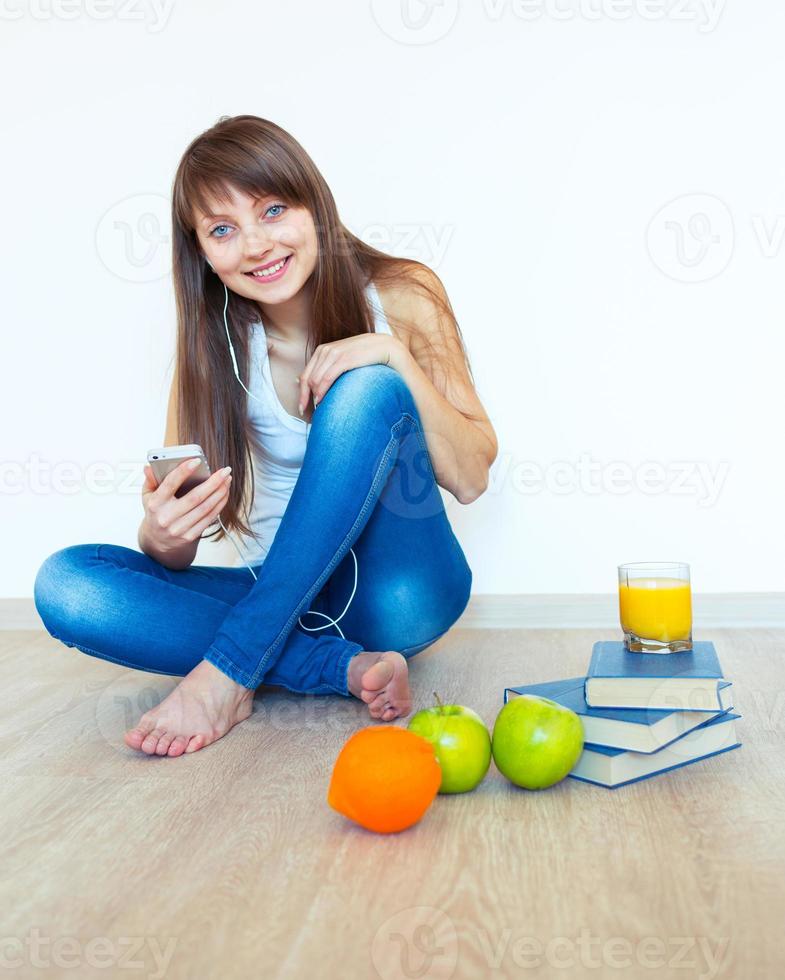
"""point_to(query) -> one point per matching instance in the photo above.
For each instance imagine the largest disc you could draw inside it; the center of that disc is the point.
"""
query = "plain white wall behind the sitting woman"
(527, 154)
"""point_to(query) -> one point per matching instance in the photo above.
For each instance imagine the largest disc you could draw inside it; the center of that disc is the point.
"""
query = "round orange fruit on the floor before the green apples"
(384, 778)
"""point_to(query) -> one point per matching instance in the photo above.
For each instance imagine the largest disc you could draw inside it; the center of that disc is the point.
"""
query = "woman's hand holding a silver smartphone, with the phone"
(185, 502)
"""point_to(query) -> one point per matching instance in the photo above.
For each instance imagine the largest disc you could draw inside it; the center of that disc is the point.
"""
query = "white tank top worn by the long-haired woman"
(282, 437)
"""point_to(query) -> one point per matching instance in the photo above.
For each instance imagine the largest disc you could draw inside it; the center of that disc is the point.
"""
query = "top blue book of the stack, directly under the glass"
(688, 681)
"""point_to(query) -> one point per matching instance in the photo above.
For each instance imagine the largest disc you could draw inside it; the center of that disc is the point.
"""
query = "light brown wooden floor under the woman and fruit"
(229, 862)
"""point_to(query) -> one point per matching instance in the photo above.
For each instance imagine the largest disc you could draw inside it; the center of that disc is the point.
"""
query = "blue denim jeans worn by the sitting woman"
(367, 483)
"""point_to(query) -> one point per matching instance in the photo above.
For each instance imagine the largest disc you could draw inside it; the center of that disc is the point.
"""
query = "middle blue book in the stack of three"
(624, 728)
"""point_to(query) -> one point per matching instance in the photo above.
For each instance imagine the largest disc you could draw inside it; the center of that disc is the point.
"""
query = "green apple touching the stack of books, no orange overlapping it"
(536, 741)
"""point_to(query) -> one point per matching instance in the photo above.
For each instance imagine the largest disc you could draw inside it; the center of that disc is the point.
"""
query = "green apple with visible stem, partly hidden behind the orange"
(461, 741)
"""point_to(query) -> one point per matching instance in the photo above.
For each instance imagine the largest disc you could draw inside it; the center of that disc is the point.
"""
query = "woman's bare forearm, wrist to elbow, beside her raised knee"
(460, 452)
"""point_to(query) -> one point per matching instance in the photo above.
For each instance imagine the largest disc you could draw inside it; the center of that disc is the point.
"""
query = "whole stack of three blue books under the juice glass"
(645, 713)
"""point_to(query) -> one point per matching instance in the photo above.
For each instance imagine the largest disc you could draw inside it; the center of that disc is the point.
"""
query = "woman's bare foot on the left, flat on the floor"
(203, 707)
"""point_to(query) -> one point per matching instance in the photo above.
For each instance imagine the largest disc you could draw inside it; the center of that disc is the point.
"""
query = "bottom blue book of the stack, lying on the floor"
(615, 767)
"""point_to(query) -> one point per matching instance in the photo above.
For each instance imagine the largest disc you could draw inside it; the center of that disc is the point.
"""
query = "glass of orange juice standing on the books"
(655, 606)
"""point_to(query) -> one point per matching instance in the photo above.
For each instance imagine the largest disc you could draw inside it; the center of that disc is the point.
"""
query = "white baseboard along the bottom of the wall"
(729, 610)
